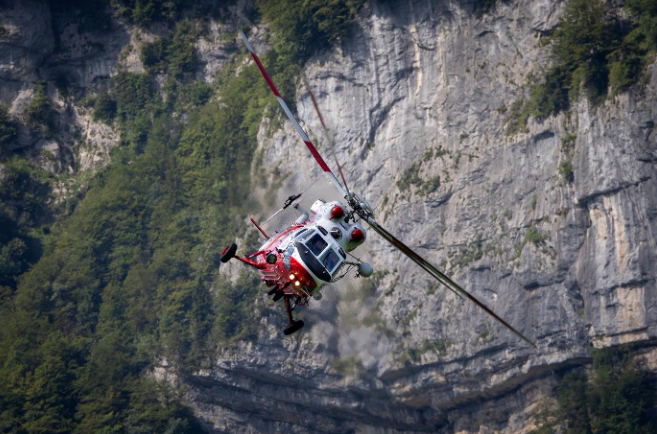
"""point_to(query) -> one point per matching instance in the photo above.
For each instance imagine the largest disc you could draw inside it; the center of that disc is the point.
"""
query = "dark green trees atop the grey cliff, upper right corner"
(591, 53)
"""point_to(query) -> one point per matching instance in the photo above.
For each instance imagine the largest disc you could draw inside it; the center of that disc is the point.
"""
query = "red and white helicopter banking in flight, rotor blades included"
(297, 262)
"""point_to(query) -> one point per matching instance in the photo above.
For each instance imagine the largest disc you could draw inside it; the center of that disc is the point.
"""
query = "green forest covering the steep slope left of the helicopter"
(125, 281)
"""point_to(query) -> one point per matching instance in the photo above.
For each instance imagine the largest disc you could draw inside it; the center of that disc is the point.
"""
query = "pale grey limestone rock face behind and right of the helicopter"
(420, 89)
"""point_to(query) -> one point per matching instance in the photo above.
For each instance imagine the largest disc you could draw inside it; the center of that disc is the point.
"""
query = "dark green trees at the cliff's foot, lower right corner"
(617, 397)
